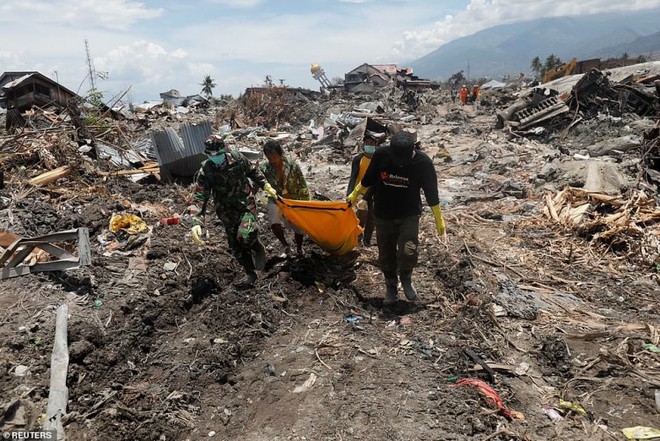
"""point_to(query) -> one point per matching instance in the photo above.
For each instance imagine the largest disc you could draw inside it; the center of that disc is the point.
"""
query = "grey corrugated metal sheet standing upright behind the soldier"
(181, 156)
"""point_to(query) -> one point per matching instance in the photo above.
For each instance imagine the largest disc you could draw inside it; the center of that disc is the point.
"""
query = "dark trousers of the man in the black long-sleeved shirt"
(398, 243)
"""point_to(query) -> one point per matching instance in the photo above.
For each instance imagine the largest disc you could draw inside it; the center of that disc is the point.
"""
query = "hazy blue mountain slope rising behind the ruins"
(509, 49)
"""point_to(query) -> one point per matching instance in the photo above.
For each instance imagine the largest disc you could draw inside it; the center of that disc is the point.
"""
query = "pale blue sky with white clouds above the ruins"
(151, 46)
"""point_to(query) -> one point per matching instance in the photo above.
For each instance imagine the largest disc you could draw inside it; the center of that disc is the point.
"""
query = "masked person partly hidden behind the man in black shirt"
(365, 206)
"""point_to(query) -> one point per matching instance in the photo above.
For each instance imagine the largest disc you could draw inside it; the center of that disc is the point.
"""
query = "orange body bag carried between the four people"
(332, 225)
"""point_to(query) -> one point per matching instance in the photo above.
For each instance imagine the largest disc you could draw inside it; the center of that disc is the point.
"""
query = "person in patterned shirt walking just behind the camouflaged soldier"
(286, 177)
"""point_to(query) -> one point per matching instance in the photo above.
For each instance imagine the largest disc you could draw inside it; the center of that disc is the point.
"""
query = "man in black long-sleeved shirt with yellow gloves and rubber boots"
(396, 175)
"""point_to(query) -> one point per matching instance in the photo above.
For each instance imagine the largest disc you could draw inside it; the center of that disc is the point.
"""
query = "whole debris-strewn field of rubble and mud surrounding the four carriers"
(548, 280)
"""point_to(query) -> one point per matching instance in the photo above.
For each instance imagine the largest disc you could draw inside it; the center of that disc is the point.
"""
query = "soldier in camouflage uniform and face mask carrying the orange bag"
(231, 180)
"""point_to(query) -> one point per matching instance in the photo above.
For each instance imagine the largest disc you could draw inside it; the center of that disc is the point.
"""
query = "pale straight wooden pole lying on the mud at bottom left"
(58, 396)
